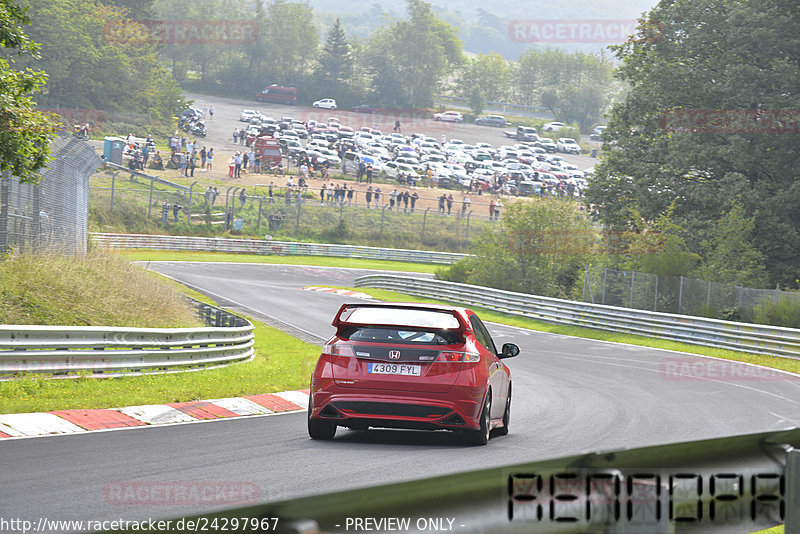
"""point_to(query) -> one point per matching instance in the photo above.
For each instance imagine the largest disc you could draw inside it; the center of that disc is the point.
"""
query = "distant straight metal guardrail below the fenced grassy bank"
(259, 246)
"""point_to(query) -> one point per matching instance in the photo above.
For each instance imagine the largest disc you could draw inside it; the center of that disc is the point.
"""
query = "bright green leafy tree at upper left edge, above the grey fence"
(25, 133)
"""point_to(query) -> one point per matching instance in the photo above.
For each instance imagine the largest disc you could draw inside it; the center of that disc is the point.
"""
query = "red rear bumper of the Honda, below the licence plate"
(359, 408)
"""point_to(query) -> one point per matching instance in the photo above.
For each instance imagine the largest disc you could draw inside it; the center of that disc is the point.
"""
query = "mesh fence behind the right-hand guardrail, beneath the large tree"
(677, 294)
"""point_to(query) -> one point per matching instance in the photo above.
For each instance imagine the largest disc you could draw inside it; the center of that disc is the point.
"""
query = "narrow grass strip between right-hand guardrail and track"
(785, 364)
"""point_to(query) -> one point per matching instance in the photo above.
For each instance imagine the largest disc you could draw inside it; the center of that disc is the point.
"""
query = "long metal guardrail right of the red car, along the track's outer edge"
(753, 338)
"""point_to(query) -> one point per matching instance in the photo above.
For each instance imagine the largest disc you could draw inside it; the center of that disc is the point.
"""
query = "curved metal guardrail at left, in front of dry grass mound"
(115, 350)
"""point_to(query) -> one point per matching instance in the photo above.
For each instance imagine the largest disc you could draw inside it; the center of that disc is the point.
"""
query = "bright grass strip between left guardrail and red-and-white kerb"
(281, 363)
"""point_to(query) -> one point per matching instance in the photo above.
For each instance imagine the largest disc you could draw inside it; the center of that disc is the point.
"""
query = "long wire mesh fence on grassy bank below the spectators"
(289, 213)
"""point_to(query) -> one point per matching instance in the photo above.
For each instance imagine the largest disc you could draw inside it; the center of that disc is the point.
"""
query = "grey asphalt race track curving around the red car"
(570, 395)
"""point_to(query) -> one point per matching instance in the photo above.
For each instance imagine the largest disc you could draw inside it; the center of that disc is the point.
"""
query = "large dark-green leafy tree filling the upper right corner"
(709, 55)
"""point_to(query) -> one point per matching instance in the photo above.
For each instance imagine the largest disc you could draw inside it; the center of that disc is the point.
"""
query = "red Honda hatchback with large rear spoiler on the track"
(414, 366)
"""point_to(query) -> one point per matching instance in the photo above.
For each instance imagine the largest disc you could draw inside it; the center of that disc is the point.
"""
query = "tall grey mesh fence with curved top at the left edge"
(53, 214)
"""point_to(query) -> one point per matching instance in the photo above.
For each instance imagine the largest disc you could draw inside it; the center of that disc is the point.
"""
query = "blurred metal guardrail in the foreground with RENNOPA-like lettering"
(726, 485)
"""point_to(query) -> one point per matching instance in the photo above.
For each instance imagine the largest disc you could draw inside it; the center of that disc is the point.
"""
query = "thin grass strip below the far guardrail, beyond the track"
(317, 261)
